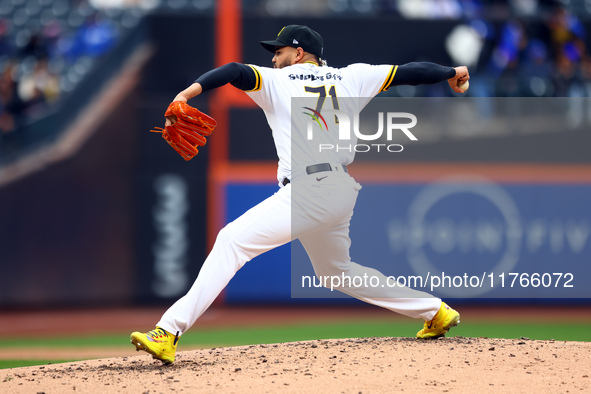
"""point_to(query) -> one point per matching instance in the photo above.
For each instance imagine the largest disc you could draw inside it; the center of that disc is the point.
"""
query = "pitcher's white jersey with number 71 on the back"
(275, 89)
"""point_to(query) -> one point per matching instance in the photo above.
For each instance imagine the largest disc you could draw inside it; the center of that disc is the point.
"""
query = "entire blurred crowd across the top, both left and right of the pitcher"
(514, 47)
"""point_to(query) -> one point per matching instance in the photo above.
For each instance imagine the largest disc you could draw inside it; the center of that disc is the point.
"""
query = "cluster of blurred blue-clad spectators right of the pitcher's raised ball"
(548, 59)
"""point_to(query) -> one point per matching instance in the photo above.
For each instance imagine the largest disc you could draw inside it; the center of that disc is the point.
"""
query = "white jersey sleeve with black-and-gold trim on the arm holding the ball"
(371, 79)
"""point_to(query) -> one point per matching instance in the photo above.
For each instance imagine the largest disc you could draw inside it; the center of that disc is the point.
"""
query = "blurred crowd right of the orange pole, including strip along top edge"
(514, 48)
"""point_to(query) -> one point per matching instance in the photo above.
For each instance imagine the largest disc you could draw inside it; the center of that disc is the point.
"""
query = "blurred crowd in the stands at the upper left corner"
(44, 51)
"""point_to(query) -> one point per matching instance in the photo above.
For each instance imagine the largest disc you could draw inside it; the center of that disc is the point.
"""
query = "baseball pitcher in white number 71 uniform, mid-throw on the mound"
(321, 219)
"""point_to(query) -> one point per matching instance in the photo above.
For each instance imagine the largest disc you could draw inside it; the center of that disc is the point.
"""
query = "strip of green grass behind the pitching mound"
(303, 332)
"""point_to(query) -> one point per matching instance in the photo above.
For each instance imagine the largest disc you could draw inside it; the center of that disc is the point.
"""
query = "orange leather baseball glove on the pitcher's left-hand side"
(189, 129)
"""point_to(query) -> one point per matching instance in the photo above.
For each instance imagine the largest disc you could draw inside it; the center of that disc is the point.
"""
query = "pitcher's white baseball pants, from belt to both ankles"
(318, 214)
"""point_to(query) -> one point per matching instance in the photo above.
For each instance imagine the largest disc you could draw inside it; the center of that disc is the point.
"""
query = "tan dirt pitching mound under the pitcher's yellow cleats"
(328, 366)
